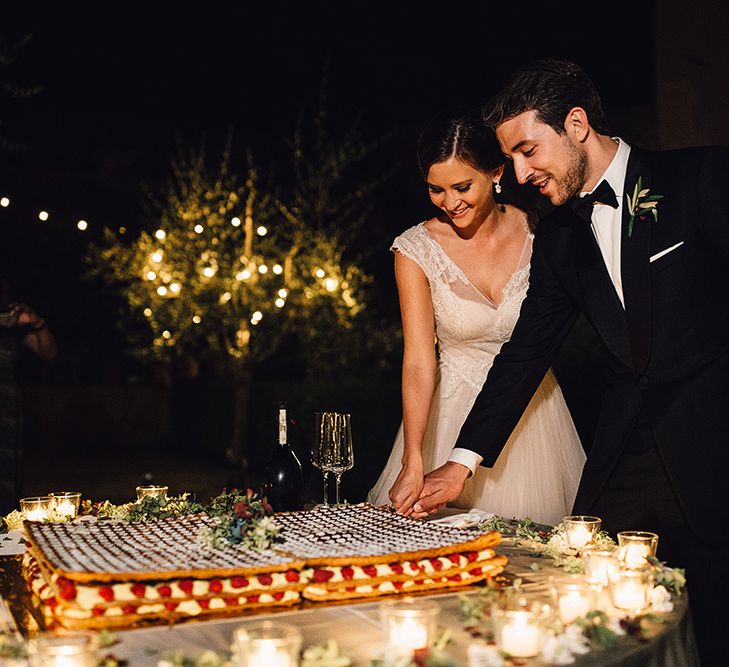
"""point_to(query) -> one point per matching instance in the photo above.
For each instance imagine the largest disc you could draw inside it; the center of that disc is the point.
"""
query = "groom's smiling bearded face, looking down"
(548, 160)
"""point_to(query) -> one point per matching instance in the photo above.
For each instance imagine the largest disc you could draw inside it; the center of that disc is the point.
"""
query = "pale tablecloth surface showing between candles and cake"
(356, 626)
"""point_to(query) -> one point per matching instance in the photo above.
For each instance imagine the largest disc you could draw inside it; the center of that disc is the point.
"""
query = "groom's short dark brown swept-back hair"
(551, 88)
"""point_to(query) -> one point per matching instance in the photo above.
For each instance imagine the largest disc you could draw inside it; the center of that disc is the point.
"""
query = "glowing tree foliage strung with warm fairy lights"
(222, 265)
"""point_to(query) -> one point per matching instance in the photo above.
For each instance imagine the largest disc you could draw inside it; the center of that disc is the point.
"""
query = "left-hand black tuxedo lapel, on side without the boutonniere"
(602, 303)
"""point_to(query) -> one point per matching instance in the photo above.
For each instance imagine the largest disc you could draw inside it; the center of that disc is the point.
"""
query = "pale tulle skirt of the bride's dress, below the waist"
(536, 474)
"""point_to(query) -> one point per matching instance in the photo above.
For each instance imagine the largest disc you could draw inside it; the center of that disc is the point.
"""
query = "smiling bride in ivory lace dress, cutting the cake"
(461, 278)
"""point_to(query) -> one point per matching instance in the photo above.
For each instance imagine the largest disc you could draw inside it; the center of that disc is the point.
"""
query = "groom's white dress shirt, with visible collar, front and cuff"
(606, 226)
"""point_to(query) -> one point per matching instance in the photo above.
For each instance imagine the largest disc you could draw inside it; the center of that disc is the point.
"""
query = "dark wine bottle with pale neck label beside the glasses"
(283, 481)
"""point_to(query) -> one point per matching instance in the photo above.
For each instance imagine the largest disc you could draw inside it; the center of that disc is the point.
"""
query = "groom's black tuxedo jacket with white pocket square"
(667, 351)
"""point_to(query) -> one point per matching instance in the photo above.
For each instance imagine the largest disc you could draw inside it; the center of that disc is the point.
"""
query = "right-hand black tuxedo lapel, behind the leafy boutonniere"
(635, 264)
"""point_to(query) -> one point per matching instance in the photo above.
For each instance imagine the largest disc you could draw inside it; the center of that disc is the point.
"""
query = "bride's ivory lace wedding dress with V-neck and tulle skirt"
(537, 472)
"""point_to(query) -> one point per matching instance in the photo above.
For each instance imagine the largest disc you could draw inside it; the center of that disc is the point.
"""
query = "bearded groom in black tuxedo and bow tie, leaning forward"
(639, 243)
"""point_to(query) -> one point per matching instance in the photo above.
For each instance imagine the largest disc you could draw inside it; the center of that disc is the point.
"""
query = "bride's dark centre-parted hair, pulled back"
(464, 137)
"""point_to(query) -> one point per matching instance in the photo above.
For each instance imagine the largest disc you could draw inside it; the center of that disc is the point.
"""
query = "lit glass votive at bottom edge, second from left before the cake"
(268, 644)
